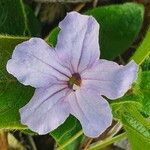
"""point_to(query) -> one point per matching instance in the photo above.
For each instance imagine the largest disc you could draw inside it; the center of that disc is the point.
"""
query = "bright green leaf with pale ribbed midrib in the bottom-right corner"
(138, 129)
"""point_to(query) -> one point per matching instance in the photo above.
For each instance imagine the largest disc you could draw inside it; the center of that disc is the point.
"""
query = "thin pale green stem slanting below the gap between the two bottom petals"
(70, 140)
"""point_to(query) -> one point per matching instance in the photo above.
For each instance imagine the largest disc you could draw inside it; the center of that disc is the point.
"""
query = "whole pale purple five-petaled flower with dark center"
(70, 78)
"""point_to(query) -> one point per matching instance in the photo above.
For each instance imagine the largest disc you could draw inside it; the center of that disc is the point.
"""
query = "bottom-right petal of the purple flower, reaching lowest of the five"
(91, 110)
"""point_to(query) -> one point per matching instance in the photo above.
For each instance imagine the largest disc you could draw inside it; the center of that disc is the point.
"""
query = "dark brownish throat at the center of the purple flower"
(74, 81)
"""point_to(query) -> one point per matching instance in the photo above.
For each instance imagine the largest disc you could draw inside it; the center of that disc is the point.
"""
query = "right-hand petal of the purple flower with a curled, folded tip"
(110, 79)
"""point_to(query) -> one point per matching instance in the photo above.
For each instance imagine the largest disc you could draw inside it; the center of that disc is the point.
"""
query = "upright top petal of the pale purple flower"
(78, 45)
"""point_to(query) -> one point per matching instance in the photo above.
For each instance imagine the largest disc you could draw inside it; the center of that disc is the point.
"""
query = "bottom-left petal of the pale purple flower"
(46, 110)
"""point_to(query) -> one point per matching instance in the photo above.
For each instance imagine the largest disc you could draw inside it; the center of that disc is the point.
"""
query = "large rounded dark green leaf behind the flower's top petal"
(119, 26)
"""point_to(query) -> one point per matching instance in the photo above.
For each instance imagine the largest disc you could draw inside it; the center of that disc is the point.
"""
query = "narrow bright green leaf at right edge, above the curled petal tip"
(143, 51)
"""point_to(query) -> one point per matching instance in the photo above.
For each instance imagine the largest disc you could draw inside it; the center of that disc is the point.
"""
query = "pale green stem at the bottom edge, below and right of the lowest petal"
(107, 142)
